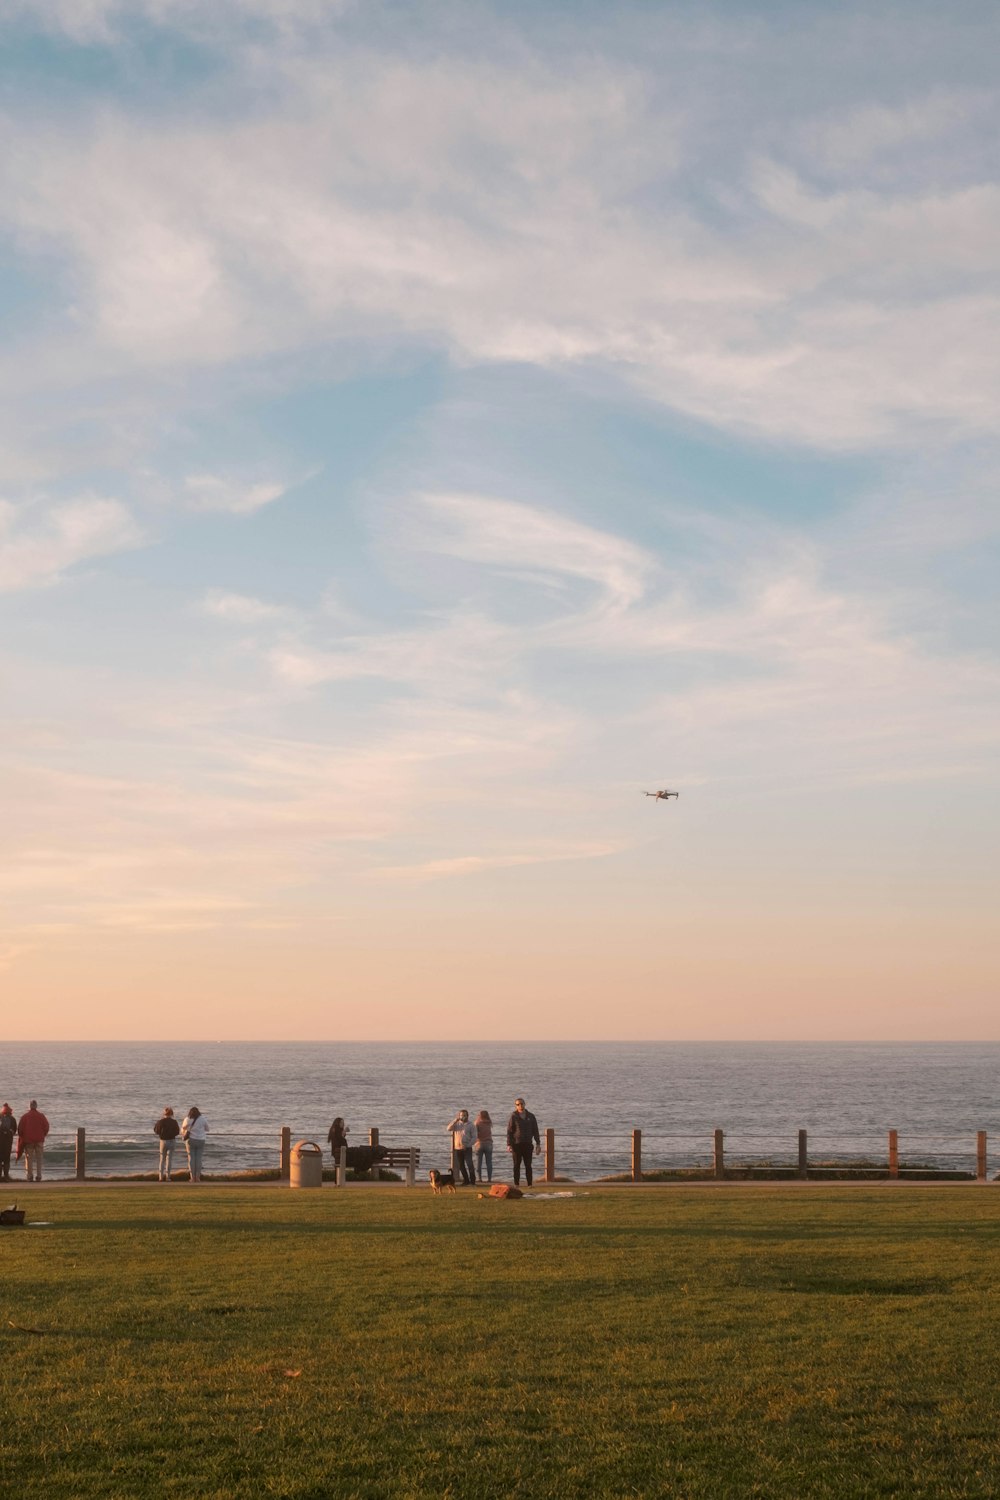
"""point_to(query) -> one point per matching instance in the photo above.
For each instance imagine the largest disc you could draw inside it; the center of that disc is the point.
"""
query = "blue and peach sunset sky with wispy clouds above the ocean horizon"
(424, 428)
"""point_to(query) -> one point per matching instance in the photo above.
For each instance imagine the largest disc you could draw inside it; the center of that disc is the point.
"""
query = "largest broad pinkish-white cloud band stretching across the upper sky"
(776, 301)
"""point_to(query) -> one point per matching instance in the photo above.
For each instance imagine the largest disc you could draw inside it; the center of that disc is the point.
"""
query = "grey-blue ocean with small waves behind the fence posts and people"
(594, 1094)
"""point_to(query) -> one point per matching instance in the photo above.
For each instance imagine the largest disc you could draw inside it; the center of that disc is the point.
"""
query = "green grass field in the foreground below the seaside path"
(695, 1343)
